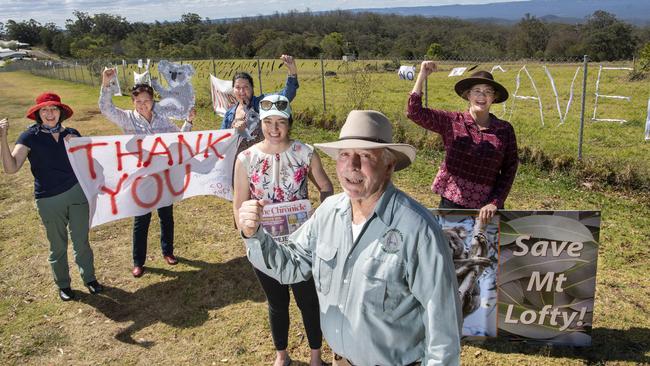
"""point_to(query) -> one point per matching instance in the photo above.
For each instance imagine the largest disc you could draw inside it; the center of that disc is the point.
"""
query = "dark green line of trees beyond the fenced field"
(332, 34)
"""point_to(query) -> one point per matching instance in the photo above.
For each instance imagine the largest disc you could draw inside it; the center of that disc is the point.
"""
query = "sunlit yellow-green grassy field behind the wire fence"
(611, 146)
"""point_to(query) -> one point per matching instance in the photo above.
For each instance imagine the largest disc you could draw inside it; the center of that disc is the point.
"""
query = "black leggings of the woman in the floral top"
(277, 295)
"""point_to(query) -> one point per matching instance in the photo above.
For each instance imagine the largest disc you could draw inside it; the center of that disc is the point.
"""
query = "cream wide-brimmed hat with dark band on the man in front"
(369, 130)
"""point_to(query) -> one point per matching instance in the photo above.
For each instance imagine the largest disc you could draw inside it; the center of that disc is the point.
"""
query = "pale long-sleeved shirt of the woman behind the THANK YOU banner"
(132, 123)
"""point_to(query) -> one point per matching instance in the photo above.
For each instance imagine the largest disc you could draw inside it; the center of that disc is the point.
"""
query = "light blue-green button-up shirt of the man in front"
(388, 298)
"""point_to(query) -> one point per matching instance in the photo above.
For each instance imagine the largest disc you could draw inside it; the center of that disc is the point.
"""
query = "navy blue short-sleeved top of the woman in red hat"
(49, 162)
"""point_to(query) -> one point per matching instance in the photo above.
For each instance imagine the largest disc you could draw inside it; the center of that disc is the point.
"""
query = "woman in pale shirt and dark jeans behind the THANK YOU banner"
(144, 119)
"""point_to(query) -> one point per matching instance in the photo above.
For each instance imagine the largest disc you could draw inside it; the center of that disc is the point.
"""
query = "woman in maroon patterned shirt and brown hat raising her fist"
(481, 158)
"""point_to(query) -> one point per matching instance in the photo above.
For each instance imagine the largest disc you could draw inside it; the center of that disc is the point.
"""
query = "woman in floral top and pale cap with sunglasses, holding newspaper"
(276, 169)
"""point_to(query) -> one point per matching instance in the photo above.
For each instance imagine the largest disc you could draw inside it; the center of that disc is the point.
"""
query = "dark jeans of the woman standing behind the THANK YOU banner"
(141, 231)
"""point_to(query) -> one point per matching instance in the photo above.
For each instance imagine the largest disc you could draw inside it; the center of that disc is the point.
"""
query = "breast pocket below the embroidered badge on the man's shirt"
(385, 287)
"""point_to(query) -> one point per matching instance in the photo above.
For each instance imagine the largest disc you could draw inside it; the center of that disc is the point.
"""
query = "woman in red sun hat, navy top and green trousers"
(61, 203)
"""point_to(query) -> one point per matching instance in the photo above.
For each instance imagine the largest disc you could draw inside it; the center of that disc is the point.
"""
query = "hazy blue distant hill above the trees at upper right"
(565, 11)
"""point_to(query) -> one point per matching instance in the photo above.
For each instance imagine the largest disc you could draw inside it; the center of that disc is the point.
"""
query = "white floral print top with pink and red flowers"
(278, 177)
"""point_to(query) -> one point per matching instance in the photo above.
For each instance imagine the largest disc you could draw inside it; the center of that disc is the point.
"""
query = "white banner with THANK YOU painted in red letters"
(130, 175)
